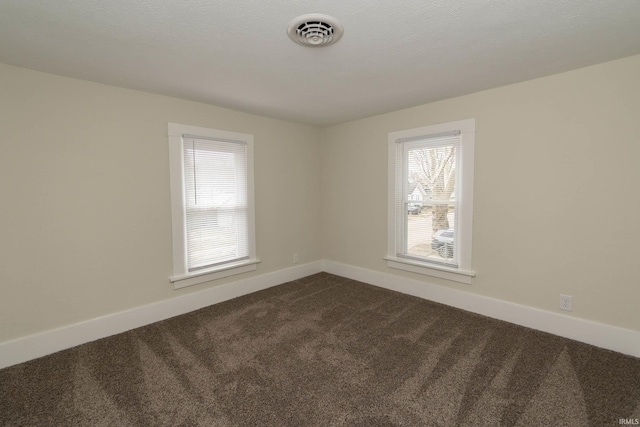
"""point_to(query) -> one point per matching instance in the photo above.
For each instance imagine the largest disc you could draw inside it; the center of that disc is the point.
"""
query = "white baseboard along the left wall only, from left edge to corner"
(44, 343)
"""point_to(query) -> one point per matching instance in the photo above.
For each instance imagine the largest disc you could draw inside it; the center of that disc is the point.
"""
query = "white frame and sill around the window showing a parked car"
(464, 199)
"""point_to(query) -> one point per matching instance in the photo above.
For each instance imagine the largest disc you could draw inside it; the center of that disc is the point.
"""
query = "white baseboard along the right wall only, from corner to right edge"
(622, 340)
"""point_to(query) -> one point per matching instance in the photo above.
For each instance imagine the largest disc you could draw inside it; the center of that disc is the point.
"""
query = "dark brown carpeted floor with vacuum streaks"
(325, 351)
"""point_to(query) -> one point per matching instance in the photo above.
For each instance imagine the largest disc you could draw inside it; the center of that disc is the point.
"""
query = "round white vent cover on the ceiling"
(315, 30)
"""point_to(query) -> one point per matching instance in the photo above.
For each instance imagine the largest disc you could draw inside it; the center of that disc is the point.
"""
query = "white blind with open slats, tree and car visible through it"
(427, 173)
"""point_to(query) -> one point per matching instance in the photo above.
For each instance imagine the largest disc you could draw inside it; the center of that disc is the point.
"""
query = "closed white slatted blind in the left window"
(216, 209)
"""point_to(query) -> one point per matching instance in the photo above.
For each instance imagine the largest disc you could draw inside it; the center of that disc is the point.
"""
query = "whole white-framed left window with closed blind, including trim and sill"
(212, 204)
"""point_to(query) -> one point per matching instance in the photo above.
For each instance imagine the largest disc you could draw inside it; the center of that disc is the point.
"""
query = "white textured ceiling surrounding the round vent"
(236, 54)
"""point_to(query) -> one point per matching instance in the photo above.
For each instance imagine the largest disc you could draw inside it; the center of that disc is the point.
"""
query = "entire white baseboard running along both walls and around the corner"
(601, 335)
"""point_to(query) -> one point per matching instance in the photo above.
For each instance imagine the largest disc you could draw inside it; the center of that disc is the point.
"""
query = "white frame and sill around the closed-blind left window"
(181, 276)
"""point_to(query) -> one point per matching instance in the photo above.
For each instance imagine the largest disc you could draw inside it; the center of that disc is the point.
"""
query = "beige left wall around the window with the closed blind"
(85, 228)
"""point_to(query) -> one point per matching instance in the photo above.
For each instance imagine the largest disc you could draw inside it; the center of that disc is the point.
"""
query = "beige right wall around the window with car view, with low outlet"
(557, 204)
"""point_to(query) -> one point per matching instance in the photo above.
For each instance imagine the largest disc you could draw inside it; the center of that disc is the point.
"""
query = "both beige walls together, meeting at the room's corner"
(85, 228)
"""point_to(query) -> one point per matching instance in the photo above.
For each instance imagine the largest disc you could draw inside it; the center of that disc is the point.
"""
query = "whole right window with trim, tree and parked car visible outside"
(434, 238)
